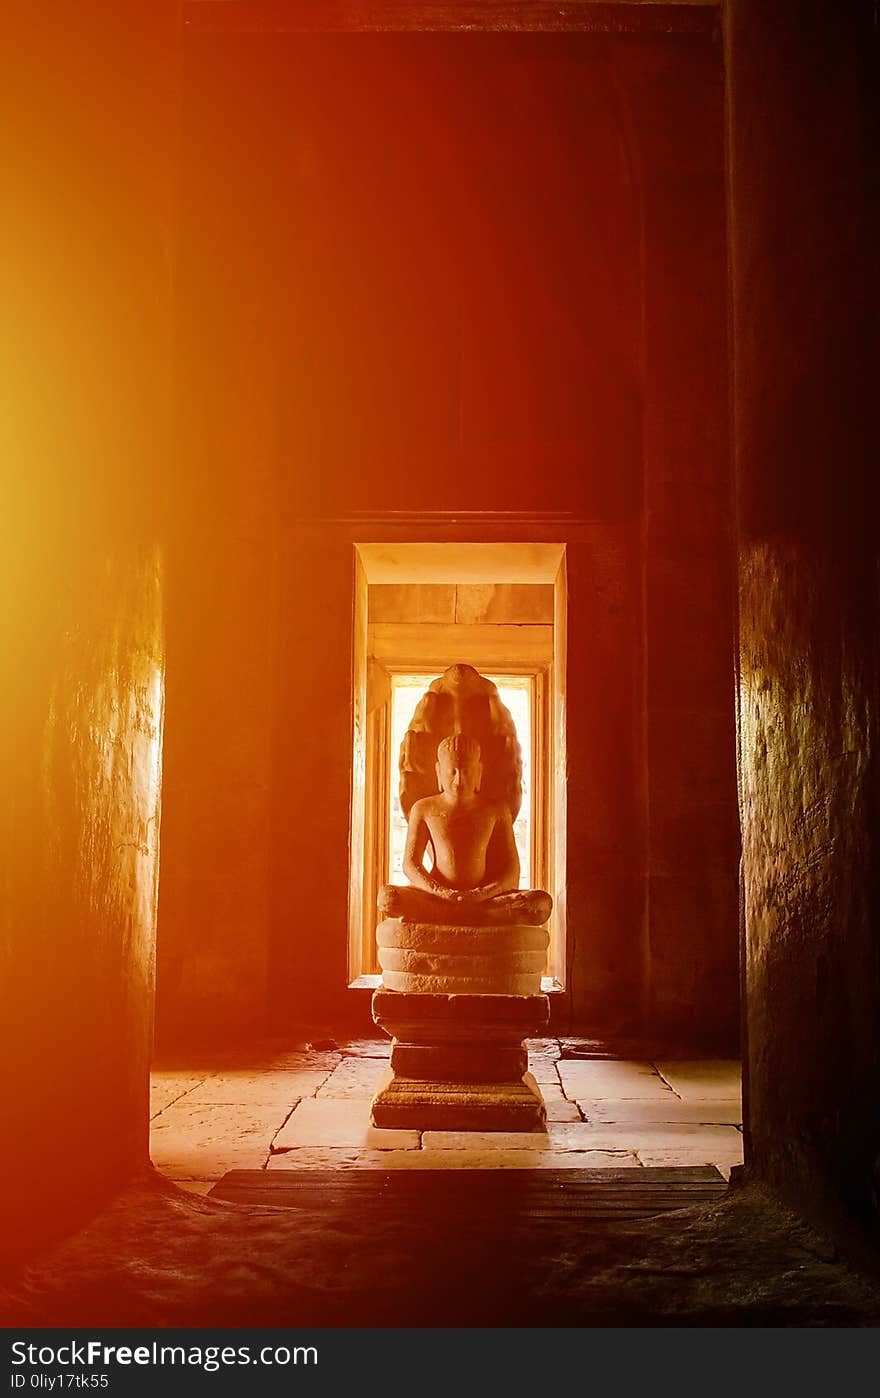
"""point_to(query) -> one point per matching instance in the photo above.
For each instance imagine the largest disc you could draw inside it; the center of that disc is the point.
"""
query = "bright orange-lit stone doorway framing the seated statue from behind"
(420, 607)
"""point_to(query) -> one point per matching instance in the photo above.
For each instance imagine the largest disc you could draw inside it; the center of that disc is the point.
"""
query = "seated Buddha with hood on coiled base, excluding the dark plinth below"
(462, 925)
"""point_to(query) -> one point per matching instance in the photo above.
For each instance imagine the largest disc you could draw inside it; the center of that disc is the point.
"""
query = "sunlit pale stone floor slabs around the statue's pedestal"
(282, 1107)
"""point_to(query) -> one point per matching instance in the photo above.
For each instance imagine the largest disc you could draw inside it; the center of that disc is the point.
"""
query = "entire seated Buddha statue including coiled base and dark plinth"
(462, 947)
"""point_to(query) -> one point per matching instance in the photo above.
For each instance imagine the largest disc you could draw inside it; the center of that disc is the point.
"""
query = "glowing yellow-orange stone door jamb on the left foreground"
(86, 445)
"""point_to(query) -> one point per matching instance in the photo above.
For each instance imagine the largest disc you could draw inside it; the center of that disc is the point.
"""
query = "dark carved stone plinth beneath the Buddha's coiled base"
(460, 1062)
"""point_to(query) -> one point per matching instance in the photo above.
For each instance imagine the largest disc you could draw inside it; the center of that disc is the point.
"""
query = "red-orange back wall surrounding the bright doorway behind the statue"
(450, 289)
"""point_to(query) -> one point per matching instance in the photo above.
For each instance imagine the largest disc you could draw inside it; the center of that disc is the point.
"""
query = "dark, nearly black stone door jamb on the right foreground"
(804, 188)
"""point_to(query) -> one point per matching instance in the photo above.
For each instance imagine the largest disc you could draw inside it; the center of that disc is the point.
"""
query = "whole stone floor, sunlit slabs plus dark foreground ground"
(157, 1256)
